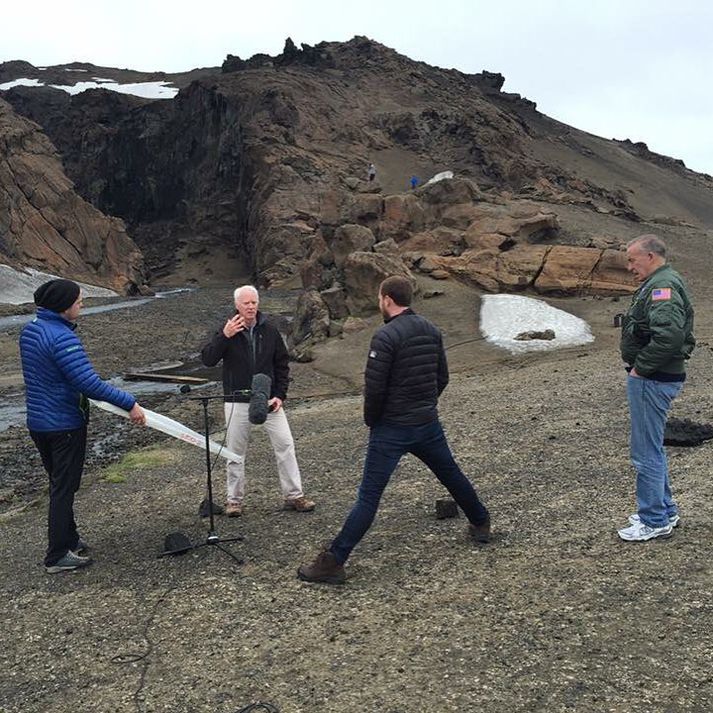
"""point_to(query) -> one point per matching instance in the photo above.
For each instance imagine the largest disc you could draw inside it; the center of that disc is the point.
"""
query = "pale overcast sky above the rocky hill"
(637, 69)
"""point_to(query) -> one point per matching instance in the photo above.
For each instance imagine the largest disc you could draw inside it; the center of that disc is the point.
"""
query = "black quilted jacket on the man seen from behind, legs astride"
(405, 373)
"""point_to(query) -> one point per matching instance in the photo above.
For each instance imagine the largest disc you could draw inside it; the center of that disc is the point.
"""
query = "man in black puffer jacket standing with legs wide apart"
(405, 374)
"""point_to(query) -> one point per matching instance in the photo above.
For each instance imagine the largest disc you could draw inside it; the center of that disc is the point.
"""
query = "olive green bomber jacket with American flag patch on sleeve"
(657, 331)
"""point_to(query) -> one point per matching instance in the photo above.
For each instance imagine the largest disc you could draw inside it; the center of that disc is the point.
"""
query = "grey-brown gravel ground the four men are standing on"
(556, 614)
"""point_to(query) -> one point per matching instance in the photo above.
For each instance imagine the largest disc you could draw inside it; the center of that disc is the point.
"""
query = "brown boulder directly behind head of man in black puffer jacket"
(363, 273)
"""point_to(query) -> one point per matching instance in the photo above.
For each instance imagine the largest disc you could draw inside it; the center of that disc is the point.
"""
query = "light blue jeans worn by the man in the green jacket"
(649, 402)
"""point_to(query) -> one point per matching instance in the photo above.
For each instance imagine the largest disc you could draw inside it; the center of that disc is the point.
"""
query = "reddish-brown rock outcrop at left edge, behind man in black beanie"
(46, 225)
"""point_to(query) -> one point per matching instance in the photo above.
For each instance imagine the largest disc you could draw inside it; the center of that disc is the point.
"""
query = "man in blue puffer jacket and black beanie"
(58, 380)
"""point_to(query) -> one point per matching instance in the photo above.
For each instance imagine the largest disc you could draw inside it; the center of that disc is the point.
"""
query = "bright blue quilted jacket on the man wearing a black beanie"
(59, 377)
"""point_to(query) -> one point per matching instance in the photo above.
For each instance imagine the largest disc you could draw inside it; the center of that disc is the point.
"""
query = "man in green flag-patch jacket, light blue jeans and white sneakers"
(656, 340)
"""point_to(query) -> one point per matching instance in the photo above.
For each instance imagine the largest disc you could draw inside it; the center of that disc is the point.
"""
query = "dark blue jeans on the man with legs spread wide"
(387, 443)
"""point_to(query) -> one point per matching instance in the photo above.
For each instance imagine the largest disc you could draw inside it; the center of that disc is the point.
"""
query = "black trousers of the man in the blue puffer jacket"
(62, 455)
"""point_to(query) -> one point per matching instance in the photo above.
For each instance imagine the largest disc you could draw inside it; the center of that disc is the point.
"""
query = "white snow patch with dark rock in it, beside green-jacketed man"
(503, 317)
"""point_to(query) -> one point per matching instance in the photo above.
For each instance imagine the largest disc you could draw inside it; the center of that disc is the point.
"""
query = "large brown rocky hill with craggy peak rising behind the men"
(269, 156)
